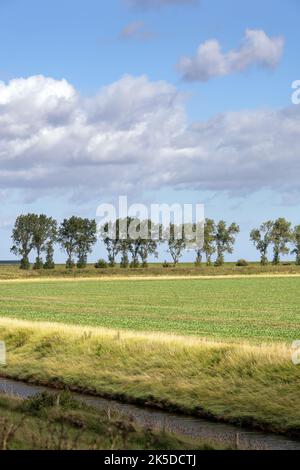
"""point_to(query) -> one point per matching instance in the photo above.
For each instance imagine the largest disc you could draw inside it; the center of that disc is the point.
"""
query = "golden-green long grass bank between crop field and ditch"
(238, 383)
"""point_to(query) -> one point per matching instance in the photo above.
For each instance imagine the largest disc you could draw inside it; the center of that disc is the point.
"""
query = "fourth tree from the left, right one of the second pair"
(86, 238)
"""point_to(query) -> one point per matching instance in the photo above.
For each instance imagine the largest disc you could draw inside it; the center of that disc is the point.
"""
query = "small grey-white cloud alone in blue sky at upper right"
(257, 49)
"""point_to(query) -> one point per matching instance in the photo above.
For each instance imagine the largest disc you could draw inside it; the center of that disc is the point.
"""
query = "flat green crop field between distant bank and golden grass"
(251, 309)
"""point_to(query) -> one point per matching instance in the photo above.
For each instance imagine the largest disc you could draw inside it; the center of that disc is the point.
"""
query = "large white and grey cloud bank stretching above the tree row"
(134, 135)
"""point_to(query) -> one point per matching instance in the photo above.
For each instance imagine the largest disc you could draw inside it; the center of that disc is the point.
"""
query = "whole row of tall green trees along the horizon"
(77, 236)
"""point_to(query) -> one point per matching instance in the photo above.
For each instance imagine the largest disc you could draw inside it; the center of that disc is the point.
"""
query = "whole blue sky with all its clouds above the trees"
(168, 101)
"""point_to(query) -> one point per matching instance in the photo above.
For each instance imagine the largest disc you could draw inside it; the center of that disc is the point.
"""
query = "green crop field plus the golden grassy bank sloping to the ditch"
(218, 348)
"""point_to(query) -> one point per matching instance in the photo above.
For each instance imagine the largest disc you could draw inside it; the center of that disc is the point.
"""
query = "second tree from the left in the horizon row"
(44, 233)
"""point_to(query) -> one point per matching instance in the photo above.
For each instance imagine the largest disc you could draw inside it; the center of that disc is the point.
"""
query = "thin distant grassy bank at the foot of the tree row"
(154, 269)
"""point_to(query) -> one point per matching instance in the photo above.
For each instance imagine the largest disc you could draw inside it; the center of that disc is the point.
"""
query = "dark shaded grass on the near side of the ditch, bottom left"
(57, 422)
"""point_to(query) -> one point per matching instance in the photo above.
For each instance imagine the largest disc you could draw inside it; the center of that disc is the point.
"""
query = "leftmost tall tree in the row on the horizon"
(22, 237)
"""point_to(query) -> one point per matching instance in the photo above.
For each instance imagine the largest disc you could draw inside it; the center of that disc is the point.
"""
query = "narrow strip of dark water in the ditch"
(215, 433)
